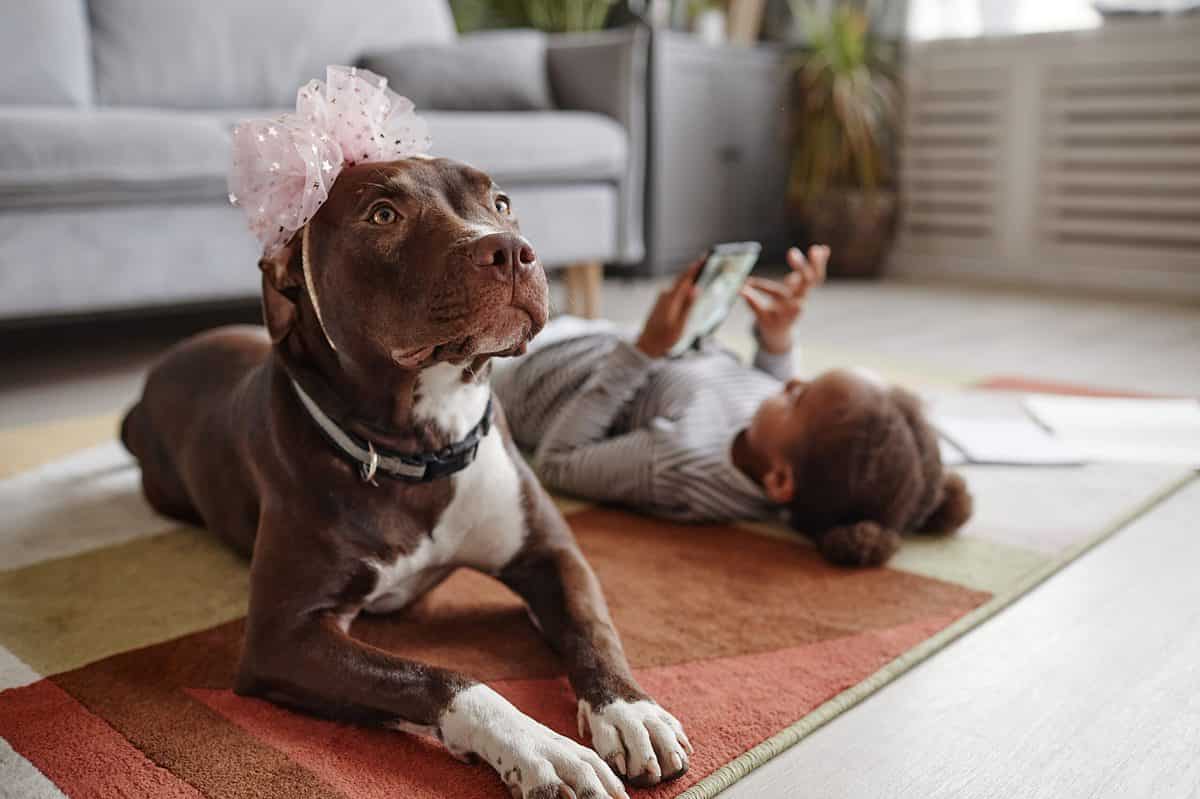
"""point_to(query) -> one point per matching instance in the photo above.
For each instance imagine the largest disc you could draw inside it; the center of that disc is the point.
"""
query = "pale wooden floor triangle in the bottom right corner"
(1088, 687)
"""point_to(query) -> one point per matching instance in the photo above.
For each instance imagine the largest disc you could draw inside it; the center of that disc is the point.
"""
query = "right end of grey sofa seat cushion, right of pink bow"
(532, 147)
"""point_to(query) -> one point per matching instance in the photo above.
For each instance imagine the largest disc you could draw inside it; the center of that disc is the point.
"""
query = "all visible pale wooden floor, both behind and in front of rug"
(1088, 687)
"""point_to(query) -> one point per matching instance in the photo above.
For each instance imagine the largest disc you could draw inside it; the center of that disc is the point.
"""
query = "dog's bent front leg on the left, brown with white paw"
(305, 659)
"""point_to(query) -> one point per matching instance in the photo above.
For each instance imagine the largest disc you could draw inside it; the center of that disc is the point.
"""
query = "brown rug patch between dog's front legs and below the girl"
(677, 592)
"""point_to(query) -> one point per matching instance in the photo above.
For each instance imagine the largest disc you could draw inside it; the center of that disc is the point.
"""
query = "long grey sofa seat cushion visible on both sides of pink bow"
(58, 157)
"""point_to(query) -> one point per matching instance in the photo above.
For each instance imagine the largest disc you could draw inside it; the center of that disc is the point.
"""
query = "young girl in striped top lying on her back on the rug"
(705, 438)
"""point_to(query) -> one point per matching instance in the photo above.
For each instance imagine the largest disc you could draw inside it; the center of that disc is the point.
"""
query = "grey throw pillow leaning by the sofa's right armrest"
(499, 70)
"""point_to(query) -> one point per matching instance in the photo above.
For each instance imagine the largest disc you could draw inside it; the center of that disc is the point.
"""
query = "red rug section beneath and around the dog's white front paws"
(727, 705)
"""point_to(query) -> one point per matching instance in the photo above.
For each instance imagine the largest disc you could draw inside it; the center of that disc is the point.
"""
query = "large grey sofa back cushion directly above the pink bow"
(233, 53)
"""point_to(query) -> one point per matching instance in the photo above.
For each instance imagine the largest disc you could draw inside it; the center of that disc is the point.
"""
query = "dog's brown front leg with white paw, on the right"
(633, 734)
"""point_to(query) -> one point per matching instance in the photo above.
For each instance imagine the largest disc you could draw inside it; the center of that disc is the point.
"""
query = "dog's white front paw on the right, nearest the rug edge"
(640, 741)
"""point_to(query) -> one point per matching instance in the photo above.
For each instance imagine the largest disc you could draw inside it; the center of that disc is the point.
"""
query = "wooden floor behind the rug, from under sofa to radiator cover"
(50, 374)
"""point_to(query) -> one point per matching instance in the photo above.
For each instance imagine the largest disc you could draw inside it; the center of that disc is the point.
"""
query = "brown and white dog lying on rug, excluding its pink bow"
(358, 458)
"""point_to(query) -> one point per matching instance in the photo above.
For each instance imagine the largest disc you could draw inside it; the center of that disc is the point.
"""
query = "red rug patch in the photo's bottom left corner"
(79, 752)
